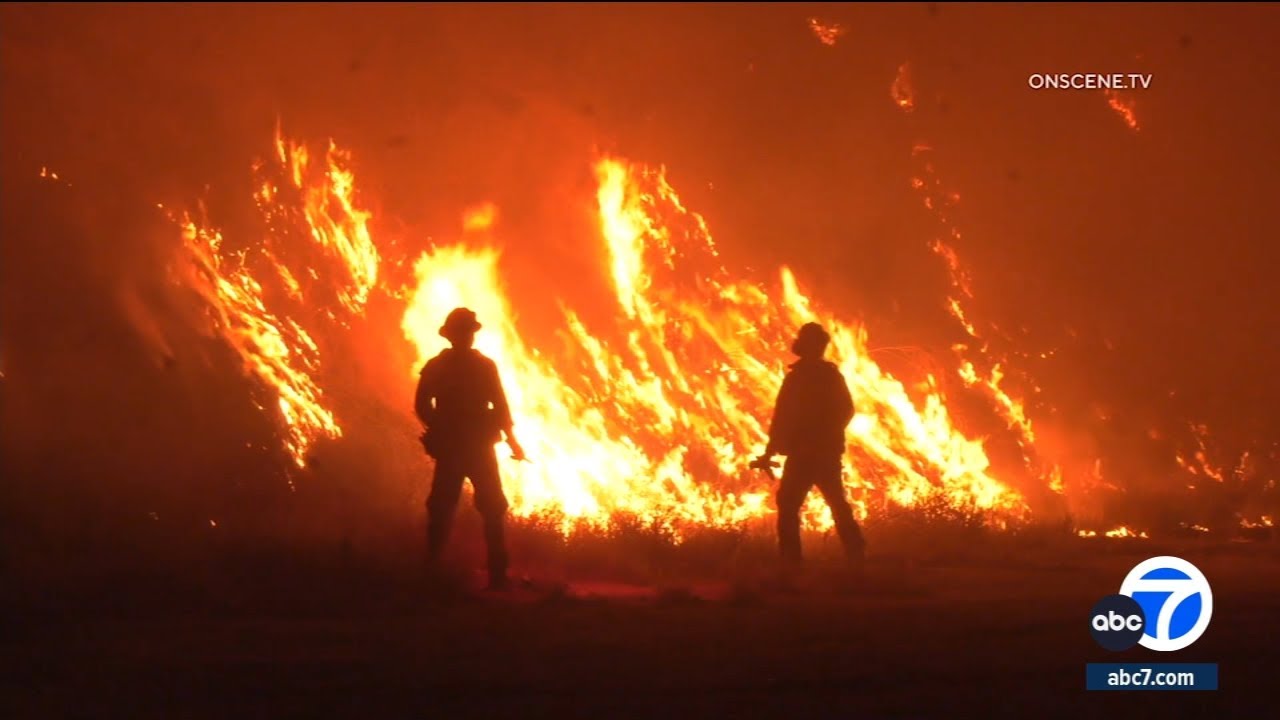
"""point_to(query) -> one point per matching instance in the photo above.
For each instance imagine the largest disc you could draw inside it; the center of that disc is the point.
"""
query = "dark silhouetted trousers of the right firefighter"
(799, 476)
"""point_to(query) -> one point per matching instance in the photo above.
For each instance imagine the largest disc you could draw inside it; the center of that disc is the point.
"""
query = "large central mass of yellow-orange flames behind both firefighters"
(660, 413)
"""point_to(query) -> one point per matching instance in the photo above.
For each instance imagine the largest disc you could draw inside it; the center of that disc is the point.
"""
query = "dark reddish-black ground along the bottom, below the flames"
(1002, 632)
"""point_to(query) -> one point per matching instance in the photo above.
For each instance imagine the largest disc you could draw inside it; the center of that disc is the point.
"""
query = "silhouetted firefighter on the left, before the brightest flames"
(464, 409)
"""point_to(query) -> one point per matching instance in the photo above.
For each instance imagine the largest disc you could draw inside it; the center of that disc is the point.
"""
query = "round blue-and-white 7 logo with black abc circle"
(1165, 604)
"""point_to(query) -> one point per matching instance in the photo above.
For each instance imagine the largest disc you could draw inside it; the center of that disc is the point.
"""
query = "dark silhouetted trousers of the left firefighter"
(479, 466)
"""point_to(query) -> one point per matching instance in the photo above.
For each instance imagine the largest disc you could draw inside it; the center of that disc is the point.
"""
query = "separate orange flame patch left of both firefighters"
(255, 298)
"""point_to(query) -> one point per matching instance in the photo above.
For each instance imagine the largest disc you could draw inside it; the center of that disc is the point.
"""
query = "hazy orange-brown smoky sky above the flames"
(1163, 241)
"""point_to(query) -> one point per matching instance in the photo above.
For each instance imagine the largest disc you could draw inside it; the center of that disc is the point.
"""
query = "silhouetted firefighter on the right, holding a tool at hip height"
(811, 416)
